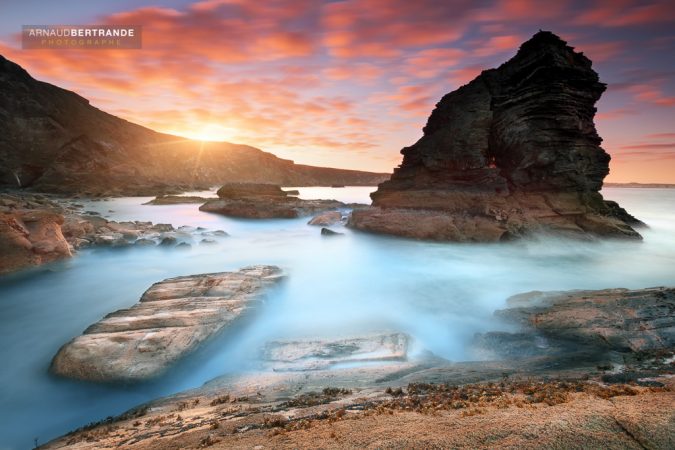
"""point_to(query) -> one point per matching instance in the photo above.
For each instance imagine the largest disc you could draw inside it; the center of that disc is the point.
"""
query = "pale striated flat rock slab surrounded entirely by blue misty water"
(171, 319)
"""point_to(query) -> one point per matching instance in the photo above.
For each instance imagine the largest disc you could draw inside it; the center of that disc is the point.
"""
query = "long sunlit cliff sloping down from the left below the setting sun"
(53, 140)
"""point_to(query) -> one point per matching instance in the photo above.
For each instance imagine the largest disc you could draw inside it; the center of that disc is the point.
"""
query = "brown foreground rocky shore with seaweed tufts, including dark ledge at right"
(607, 393)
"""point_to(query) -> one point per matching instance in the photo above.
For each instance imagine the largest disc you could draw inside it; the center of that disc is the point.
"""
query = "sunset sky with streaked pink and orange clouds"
(349, 83)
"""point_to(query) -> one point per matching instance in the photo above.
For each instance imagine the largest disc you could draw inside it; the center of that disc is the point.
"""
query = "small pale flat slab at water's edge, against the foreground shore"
(316, 354)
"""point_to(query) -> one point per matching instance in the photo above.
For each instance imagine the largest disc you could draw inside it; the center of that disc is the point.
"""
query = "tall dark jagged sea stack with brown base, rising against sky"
(513, 152)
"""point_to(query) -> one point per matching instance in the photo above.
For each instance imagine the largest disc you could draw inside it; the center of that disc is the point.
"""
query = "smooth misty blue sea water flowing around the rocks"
(439, 293)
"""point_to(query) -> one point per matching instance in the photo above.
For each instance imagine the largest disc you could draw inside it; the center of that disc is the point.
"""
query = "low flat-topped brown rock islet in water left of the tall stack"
(264, 201)
